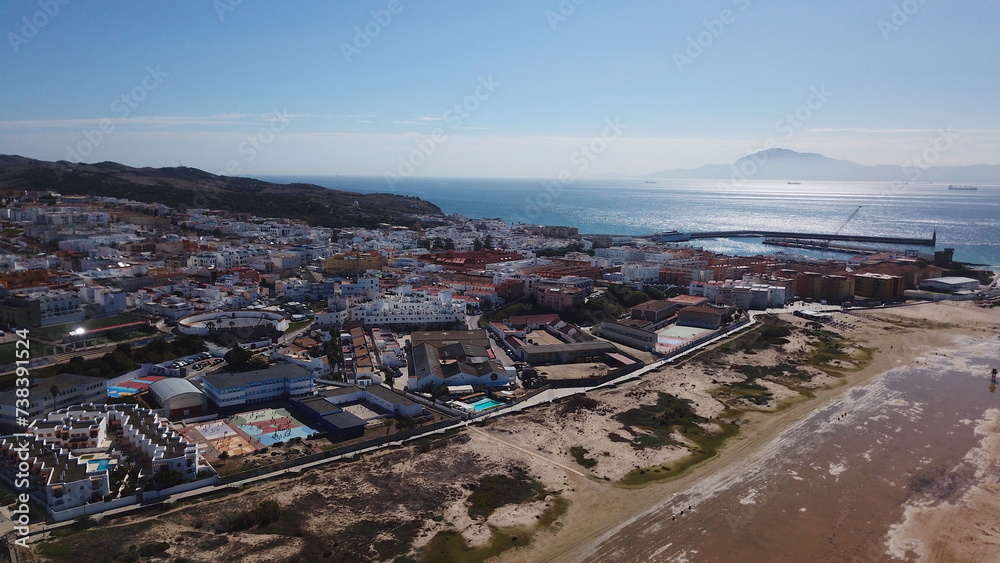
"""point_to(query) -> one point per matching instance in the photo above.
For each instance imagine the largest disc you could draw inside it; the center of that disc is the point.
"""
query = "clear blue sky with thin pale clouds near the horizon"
(517, 88)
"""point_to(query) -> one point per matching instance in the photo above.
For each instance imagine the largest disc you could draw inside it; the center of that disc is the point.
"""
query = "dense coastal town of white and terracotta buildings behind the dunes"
(150, 352)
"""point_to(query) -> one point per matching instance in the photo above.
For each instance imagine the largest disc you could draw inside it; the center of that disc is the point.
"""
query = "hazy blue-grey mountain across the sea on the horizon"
(784, 164)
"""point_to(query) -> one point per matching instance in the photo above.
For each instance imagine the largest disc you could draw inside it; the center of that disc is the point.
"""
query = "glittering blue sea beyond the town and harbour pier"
(968, 221)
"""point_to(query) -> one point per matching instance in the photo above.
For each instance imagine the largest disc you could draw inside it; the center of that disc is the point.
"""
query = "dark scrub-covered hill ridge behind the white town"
(185, 188)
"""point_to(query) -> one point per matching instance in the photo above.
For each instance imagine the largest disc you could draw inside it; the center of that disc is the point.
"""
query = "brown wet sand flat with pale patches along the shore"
(844, 481)
